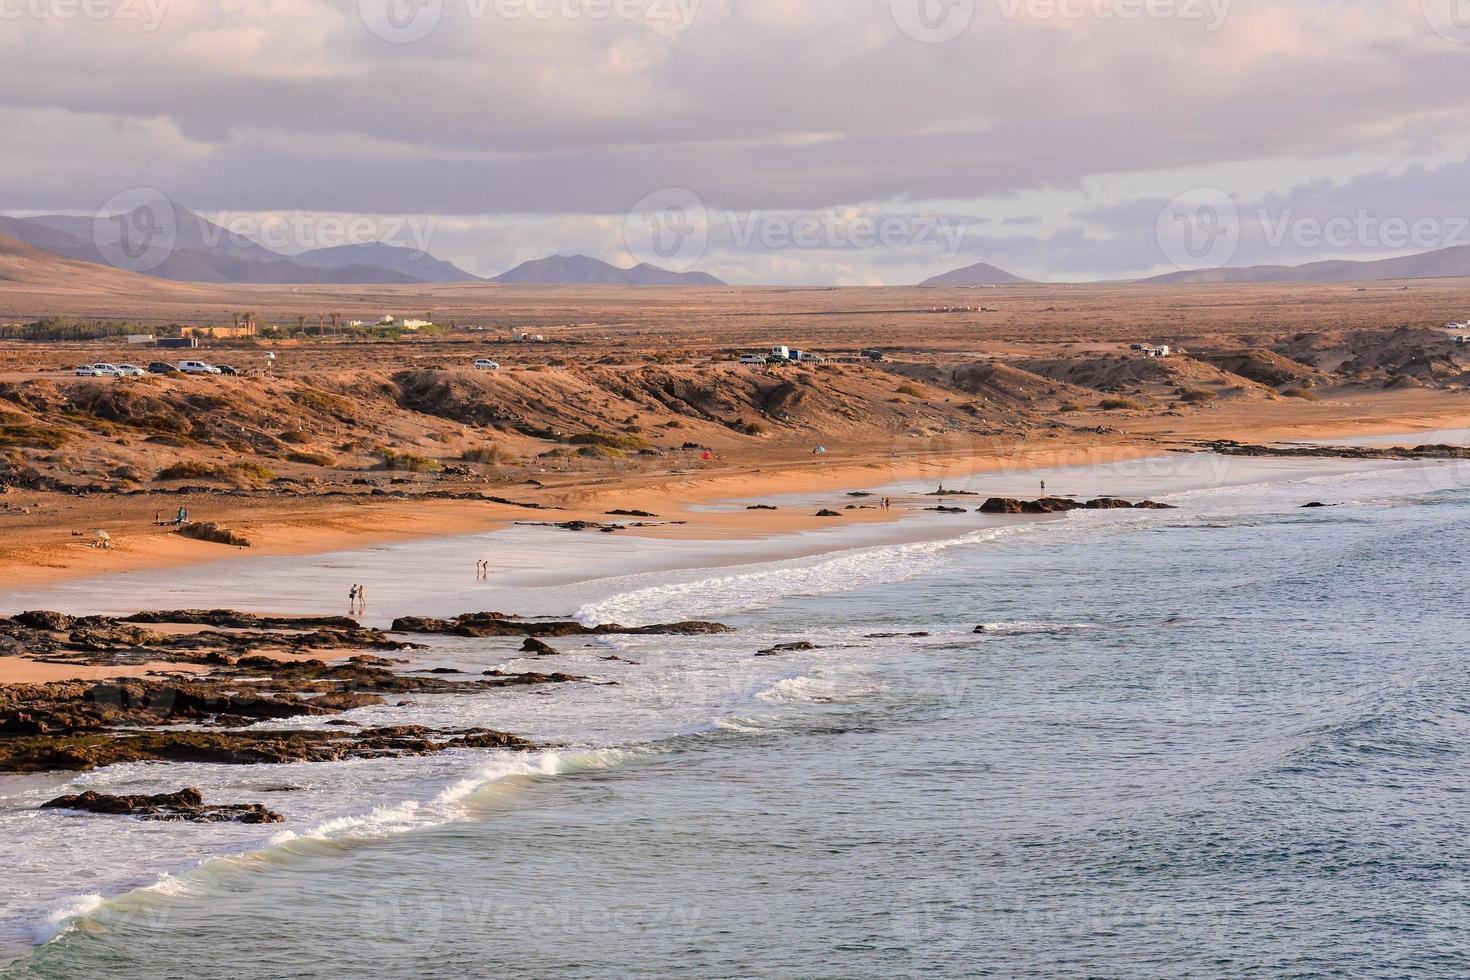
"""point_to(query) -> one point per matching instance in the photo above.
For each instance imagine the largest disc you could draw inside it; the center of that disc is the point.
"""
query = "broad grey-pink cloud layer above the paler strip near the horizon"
(581, 108)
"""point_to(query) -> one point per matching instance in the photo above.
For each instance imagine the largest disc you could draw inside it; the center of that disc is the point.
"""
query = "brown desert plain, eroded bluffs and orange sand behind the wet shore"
(636, 400)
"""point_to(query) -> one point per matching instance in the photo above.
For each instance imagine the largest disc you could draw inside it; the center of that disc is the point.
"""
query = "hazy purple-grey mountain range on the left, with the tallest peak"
(204, 252)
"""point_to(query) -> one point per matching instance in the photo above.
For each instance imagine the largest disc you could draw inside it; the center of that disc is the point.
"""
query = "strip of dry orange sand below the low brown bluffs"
(687, 503)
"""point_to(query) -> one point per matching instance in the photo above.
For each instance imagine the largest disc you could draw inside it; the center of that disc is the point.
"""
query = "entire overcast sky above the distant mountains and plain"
(765, 142)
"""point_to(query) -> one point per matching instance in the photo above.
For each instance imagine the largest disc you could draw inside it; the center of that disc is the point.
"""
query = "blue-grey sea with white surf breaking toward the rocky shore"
(1230, 740)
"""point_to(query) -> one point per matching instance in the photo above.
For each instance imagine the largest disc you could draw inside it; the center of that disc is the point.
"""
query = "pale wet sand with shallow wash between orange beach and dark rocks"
(539, 568)
